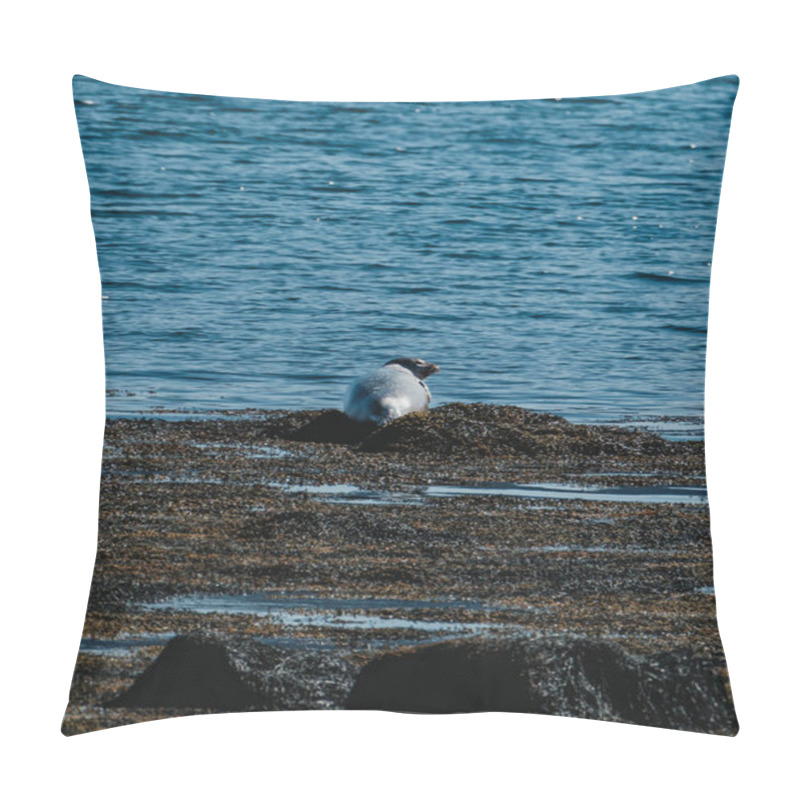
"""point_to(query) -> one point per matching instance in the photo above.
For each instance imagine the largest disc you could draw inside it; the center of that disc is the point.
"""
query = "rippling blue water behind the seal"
(550, 254)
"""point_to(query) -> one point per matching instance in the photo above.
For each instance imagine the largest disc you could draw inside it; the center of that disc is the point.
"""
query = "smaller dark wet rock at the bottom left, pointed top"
(207, 671)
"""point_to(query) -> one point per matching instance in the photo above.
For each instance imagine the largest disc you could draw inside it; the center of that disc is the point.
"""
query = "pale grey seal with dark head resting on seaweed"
(396, 388)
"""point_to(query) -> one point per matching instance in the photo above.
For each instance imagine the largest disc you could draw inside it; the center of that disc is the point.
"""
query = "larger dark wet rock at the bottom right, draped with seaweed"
(575, 677)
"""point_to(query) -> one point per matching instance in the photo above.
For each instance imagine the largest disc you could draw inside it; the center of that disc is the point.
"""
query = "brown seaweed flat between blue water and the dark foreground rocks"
(213, 526)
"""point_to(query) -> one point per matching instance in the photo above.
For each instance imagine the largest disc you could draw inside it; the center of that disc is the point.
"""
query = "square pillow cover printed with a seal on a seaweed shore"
(524, 529)
